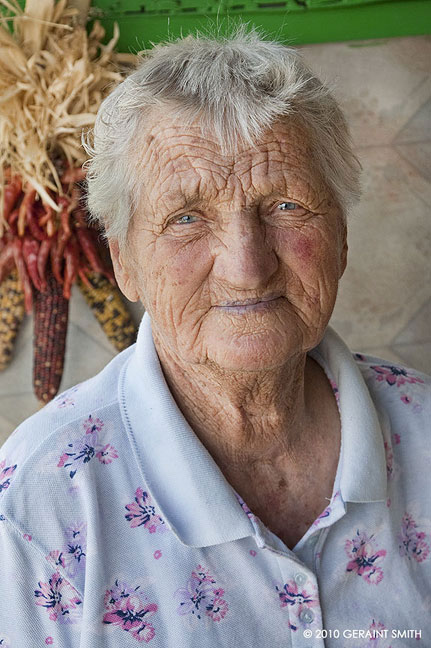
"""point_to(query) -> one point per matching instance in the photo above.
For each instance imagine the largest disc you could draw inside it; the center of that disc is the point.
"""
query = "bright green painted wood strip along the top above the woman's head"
(322, 21)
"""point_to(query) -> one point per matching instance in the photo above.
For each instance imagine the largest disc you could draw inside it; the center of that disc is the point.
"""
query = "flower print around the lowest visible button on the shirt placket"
(298, 599)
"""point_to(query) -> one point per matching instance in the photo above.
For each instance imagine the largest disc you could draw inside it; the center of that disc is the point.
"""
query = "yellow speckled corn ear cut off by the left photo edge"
(11, 315)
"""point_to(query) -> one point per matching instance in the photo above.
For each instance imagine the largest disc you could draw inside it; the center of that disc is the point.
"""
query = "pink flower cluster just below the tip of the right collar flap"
(362, 552)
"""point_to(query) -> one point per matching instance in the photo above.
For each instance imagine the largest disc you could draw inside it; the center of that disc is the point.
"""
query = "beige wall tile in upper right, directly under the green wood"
(380, 84)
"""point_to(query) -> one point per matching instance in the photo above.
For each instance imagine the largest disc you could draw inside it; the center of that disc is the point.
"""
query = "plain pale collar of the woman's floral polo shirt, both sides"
(191, 492)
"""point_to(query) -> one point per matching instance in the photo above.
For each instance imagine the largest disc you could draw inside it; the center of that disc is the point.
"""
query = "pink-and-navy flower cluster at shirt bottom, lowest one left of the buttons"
(130, 610)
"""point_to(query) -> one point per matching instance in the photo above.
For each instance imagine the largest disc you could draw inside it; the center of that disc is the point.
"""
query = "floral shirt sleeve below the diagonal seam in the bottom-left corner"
(38, 606)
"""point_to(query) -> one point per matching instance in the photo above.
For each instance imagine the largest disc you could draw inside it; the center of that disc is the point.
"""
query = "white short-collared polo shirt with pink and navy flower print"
(118, 528)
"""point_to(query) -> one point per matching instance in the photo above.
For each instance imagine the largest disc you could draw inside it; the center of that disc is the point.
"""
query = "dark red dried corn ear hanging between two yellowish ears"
(51, 311)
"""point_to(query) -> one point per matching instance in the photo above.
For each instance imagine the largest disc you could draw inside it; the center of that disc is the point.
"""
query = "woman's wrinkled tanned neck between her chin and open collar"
(246, 418)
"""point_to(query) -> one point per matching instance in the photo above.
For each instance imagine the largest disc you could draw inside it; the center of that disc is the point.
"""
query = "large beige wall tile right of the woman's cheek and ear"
(388, 275)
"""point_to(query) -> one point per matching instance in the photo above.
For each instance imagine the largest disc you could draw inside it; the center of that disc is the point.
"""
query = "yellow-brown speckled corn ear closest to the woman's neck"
(109, 309)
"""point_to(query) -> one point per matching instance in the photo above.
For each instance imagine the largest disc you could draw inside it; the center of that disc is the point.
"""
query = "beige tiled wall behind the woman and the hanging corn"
(384, 305)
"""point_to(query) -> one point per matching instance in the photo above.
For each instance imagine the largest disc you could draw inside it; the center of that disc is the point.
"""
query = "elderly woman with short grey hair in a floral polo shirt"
(236, 477)
